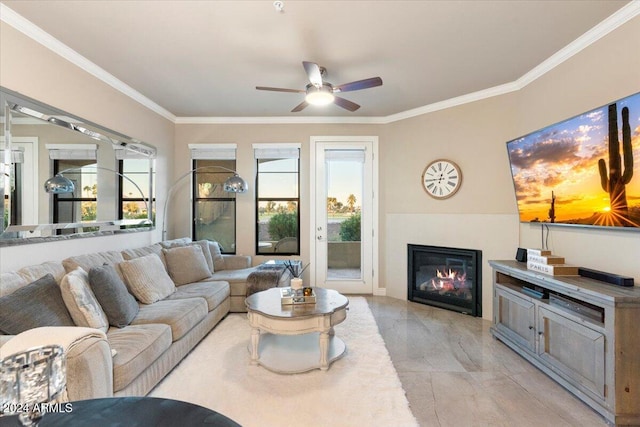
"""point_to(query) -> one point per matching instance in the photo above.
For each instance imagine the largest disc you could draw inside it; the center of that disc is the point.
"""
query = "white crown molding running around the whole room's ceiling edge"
(620, 17)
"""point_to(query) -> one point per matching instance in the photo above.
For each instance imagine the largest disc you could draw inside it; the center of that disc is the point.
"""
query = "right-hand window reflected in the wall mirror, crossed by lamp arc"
(133, 205)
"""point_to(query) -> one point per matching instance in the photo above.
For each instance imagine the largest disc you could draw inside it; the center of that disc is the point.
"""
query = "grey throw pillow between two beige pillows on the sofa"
(112, 294)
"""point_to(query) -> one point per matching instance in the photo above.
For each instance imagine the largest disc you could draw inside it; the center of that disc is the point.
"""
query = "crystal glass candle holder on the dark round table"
(30, 380)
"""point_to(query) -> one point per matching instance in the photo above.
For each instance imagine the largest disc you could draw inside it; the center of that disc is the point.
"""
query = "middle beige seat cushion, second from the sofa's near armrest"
(180, 314)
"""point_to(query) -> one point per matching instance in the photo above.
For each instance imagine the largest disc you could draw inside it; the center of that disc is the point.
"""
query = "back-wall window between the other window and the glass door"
(278, 199)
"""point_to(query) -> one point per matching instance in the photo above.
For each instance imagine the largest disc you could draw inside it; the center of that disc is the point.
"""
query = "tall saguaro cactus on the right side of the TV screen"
(615, 183)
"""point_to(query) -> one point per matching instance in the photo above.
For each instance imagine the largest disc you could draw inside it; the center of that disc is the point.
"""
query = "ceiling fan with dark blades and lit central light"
(319, 92)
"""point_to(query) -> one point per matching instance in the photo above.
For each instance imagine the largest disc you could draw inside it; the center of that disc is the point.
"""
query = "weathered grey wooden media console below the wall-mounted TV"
(583, 333)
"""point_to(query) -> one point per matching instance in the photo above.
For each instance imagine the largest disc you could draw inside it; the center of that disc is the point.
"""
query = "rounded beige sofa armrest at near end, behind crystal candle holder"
(89, 360)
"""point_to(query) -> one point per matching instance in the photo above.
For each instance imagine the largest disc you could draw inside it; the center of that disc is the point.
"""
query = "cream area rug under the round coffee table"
(360, 389)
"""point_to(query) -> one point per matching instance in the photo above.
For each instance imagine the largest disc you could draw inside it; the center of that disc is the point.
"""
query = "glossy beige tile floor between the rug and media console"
(456, 374)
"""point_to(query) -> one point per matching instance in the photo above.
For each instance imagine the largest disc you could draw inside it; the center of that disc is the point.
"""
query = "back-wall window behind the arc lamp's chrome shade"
(214, 210)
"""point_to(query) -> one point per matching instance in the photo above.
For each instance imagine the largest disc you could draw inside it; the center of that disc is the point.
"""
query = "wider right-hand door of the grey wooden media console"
(573, 348)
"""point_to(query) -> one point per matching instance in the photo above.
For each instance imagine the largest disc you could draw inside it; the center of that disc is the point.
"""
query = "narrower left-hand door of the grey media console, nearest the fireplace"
(515, 317)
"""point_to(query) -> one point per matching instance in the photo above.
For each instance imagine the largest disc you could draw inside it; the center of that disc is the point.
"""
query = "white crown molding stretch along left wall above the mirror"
(34, 32)
